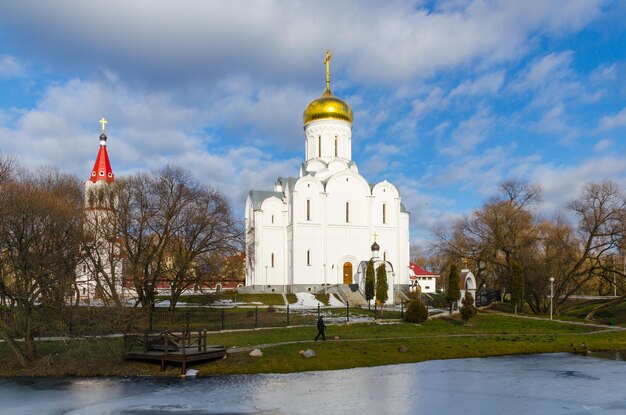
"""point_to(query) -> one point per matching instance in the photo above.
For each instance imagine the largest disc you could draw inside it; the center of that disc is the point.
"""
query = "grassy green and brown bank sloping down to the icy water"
(356, 345)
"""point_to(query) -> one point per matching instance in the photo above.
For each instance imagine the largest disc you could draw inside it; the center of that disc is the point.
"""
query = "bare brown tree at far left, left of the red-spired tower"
(40, 237)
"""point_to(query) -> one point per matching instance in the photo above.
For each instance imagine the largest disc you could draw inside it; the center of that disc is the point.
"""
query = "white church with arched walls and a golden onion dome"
(317, 230)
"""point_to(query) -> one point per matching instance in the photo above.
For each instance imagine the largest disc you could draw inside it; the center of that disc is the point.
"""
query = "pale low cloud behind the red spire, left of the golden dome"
(145, 131)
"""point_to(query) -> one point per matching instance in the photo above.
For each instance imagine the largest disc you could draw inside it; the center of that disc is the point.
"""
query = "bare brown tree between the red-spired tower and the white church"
(170, 227)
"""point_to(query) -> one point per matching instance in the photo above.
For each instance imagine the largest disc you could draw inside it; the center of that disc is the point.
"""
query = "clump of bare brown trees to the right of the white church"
(507, 230)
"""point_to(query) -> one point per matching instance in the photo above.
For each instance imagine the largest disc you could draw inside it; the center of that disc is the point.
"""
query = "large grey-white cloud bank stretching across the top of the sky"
(388, 42)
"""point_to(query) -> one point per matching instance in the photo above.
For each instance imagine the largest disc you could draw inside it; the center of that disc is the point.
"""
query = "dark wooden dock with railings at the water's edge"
(167, 347)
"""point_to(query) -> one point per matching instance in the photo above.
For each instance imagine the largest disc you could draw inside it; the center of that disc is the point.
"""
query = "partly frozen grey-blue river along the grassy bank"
(536, 384)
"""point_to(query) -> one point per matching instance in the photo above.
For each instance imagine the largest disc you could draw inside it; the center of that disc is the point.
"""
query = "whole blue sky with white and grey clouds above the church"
(449, 97)
